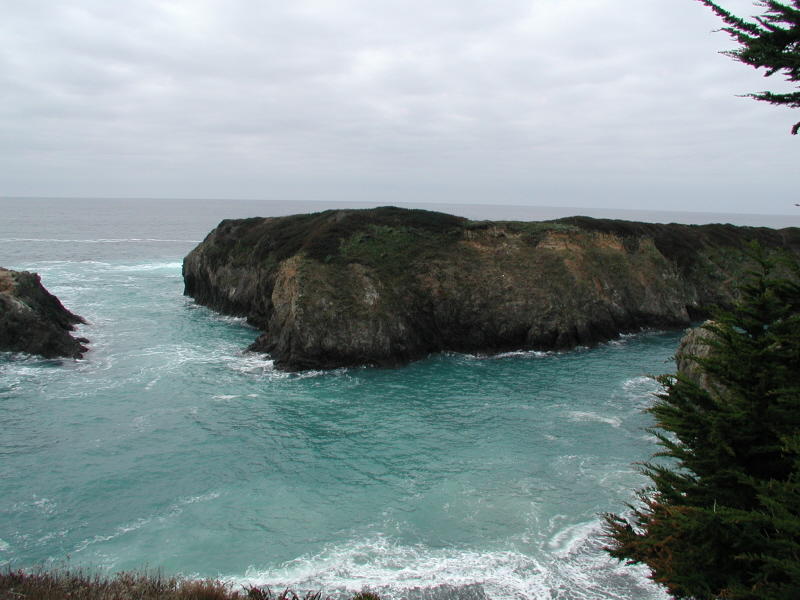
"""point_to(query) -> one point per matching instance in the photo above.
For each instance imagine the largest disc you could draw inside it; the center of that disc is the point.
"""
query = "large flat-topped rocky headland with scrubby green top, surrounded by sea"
(385, 286)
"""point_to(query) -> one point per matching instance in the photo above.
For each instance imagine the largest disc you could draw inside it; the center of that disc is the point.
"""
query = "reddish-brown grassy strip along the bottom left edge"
(78, 585)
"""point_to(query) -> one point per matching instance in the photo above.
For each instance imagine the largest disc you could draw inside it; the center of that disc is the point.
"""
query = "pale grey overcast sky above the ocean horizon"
(595, 103)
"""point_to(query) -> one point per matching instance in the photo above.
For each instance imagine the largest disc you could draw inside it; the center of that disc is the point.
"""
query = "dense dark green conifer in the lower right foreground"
(722, 516)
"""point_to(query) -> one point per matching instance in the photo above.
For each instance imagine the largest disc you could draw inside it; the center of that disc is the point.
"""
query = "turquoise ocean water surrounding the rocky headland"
(167, 447)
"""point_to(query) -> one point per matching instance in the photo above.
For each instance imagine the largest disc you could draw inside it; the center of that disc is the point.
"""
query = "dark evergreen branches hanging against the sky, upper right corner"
(771, 41)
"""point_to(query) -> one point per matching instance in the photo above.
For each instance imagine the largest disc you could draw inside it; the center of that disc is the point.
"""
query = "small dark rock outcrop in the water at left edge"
(32, 320)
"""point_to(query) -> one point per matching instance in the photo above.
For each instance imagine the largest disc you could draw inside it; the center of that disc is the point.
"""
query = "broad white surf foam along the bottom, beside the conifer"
(577, 570)
